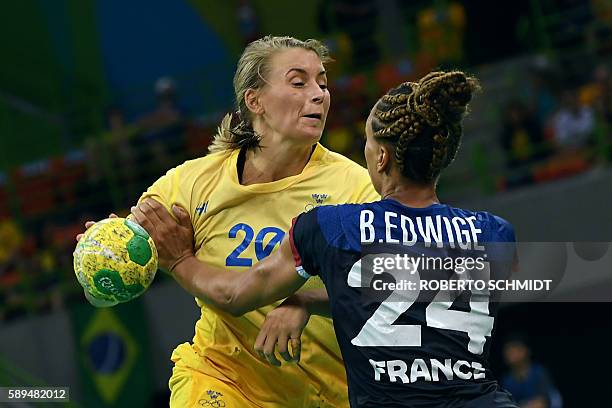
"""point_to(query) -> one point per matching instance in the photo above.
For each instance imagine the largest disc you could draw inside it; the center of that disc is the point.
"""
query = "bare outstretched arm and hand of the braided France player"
(272, 279)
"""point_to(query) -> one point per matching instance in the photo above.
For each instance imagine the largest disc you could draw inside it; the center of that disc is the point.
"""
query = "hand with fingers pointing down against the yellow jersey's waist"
(282, 325)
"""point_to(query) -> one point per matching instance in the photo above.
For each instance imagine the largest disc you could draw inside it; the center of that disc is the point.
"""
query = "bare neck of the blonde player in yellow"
(273, 162)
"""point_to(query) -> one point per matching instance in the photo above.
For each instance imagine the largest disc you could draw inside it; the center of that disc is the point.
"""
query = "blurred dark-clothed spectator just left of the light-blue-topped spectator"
(522, 136)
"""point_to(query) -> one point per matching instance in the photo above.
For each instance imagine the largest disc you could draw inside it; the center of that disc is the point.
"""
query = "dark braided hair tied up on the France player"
(424, 122)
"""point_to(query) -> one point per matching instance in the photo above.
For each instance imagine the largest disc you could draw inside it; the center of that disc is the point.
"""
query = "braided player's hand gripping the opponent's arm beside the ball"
(173, 239)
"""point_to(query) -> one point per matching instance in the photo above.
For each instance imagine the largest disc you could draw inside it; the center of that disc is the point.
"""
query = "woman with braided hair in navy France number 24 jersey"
(404, 340)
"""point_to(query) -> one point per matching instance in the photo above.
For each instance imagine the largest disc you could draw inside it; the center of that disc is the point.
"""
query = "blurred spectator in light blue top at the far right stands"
(573, 124)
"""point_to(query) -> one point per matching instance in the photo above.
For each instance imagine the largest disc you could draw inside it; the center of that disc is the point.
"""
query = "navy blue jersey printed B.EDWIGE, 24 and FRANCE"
(405, 339)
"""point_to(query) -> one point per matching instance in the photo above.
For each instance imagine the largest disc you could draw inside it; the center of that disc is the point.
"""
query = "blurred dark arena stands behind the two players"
(98, 98)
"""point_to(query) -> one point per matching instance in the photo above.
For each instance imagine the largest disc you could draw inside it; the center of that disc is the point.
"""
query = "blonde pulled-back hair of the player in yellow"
(253, 68)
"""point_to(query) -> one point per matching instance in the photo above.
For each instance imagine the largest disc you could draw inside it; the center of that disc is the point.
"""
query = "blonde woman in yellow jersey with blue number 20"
(261, 173)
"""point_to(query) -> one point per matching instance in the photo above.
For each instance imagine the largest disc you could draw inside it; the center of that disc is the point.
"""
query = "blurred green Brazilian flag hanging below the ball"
(114, 356)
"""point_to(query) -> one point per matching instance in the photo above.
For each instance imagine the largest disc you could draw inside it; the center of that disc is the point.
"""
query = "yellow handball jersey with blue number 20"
(236, 226)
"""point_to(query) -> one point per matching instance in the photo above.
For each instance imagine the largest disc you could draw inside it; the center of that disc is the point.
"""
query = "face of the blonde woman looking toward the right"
(295, 100)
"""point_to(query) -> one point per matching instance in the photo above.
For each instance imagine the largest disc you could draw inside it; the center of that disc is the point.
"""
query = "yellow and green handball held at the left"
(115, 261)
